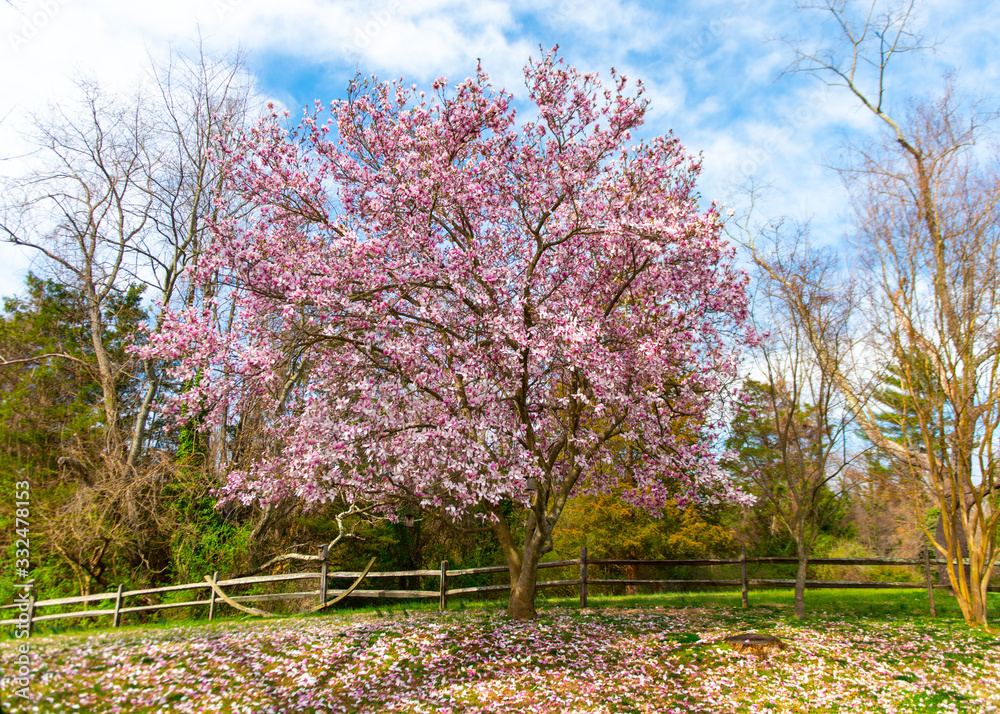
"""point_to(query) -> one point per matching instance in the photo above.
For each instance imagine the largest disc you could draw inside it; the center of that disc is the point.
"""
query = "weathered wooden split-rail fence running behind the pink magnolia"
(28, 609)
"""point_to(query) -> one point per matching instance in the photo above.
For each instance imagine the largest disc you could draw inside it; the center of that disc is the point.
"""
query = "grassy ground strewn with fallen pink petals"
(477, 661)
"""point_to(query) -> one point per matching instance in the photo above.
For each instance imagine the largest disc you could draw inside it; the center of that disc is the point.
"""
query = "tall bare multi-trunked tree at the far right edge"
(927, 234)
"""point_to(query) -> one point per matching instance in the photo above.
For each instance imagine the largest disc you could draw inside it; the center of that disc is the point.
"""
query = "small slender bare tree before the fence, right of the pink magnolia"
(791, 435)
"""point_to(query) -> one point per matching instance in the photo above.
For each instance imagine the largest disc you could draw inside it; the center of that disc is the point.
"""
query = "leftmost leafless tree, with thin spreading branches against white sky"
(84, 210)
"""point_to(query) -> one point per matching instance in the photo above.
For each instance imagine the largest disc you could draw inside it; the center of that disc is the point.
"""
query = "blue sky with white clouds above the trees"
(712, 70)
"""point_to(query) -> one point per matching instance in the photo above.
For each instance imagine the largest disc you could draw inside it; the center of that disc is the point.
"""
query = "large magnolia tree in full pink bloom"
(442, 303)
